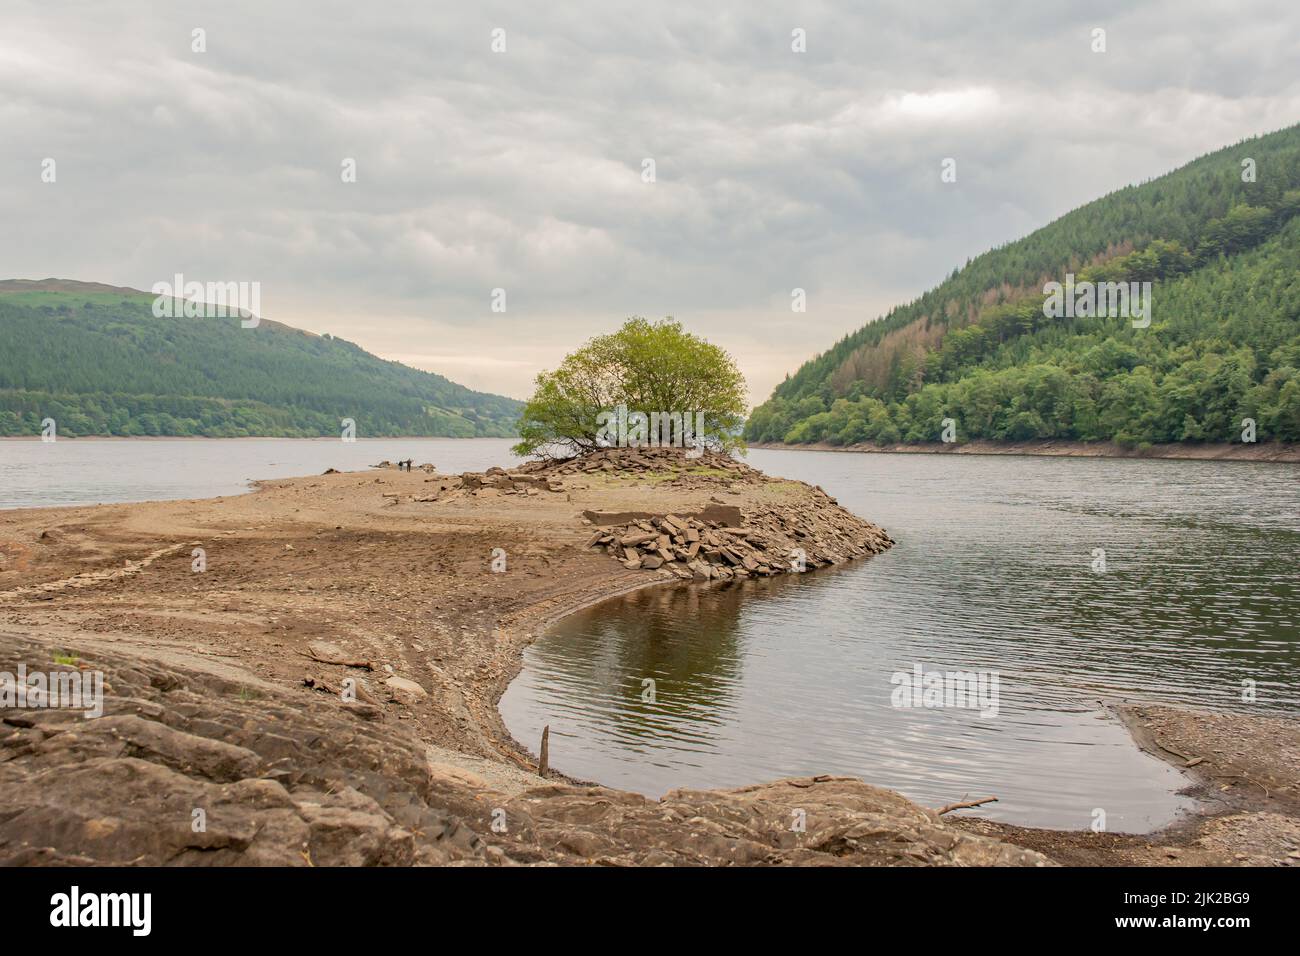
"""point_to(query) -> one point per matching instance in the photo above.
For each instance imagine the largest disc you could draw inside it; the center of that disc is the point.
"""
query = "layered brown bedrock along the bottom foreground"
(193, 768)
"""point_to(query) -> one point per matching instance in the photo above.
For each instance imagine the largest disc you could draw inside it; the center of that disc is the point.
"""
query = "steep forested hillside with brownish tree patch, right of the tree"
(1224, 345)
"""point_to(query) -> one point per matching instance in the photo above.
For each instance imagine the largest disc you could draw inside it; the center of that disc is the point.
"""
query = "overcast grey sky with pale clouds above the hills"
(523, 170)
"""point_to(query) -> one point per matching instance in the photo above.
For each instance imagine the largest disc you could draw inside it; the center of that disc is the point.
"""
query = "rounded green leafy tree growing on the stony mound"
(636, 387)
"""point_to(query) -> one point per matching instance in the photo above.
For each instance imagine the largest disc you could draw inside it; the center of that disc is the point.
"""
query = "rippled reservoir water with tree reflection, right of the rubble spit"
(993, 572)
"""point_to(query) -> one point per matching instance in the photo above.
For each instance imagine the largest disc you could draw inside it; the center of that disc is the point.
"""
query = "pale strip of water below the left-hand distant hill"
(85, 471)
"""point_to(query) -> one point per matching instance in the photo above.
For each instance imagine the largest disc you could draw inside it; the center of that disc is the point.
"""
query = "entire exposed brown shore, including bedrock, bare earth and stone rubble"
(323, 690)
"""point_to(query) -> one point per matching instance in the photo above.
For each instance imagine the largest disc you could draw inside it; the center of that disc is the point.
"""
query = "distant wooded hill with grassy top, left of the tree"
(97, 361)
